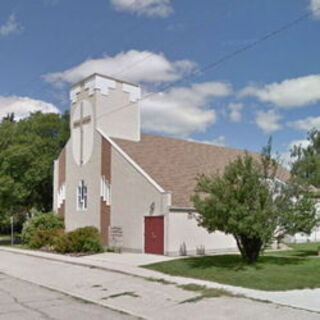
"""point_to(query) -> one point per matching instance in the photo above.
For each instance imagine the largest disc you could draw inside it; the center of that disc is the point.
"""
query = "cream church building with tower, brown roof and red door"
(135, 188)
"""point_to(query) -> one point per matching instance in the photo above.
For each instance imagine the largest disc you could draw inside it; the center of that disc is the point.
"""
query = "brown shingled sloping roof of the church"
(175, 163)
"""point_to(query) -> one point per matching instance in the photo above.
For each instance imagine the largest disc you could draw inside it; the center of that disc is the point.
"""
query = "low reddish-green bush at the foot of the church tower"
(85, 239)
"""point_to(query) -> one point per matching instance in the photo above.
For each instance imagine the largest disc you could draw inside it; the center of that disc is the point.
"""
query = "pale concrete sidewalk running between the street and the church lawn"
(308, 299)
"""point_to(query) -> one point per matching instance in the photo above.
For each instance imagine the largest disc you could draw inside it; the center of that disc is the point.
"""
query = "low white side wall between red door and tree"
(183, 233)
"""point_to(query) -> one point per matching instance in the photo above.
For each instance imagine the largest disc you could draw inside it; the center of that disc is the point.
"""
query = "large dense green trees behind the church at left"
(27, 150)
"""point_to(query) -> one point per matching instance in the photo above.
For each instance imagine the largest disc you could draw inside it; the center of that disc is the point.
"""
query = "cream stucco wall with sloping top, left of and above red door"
(131, 200)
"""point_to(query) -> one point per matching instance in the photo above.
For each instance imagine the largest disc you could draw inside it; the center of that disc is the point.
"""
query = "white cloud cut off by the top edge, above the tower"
(150, 8)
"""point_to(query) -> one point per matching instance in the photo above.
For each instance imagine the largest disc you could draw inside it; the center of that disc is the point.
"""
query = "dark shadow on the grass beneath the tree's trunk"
(234, 262)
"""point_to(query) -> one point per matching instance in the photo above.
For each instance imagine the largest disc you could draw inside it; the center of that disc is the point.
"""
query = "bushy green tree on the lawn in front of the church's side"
(250, 203)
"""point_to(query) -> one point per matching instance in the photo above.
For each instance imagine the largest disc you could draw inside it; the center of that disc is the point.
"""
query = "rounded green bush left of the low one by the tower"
(41, 230)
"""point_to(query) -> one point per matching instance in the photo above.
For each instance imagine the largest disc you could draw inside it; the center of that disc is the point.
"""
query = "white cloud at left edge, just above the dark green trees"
(23, 106)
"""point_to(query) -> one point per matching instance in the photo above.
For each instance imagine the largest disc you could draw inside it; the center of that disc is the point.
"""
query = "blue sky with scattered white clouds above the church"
(271, 89)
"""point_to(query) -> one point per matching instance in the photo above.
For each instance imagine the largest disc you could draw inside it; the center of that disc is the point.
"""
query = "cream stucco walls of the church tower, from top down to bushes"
(104, 96)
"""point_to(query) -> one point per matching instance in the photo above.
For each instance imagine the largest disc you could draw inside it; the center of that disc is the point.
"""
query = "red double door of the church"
(154, 235)
